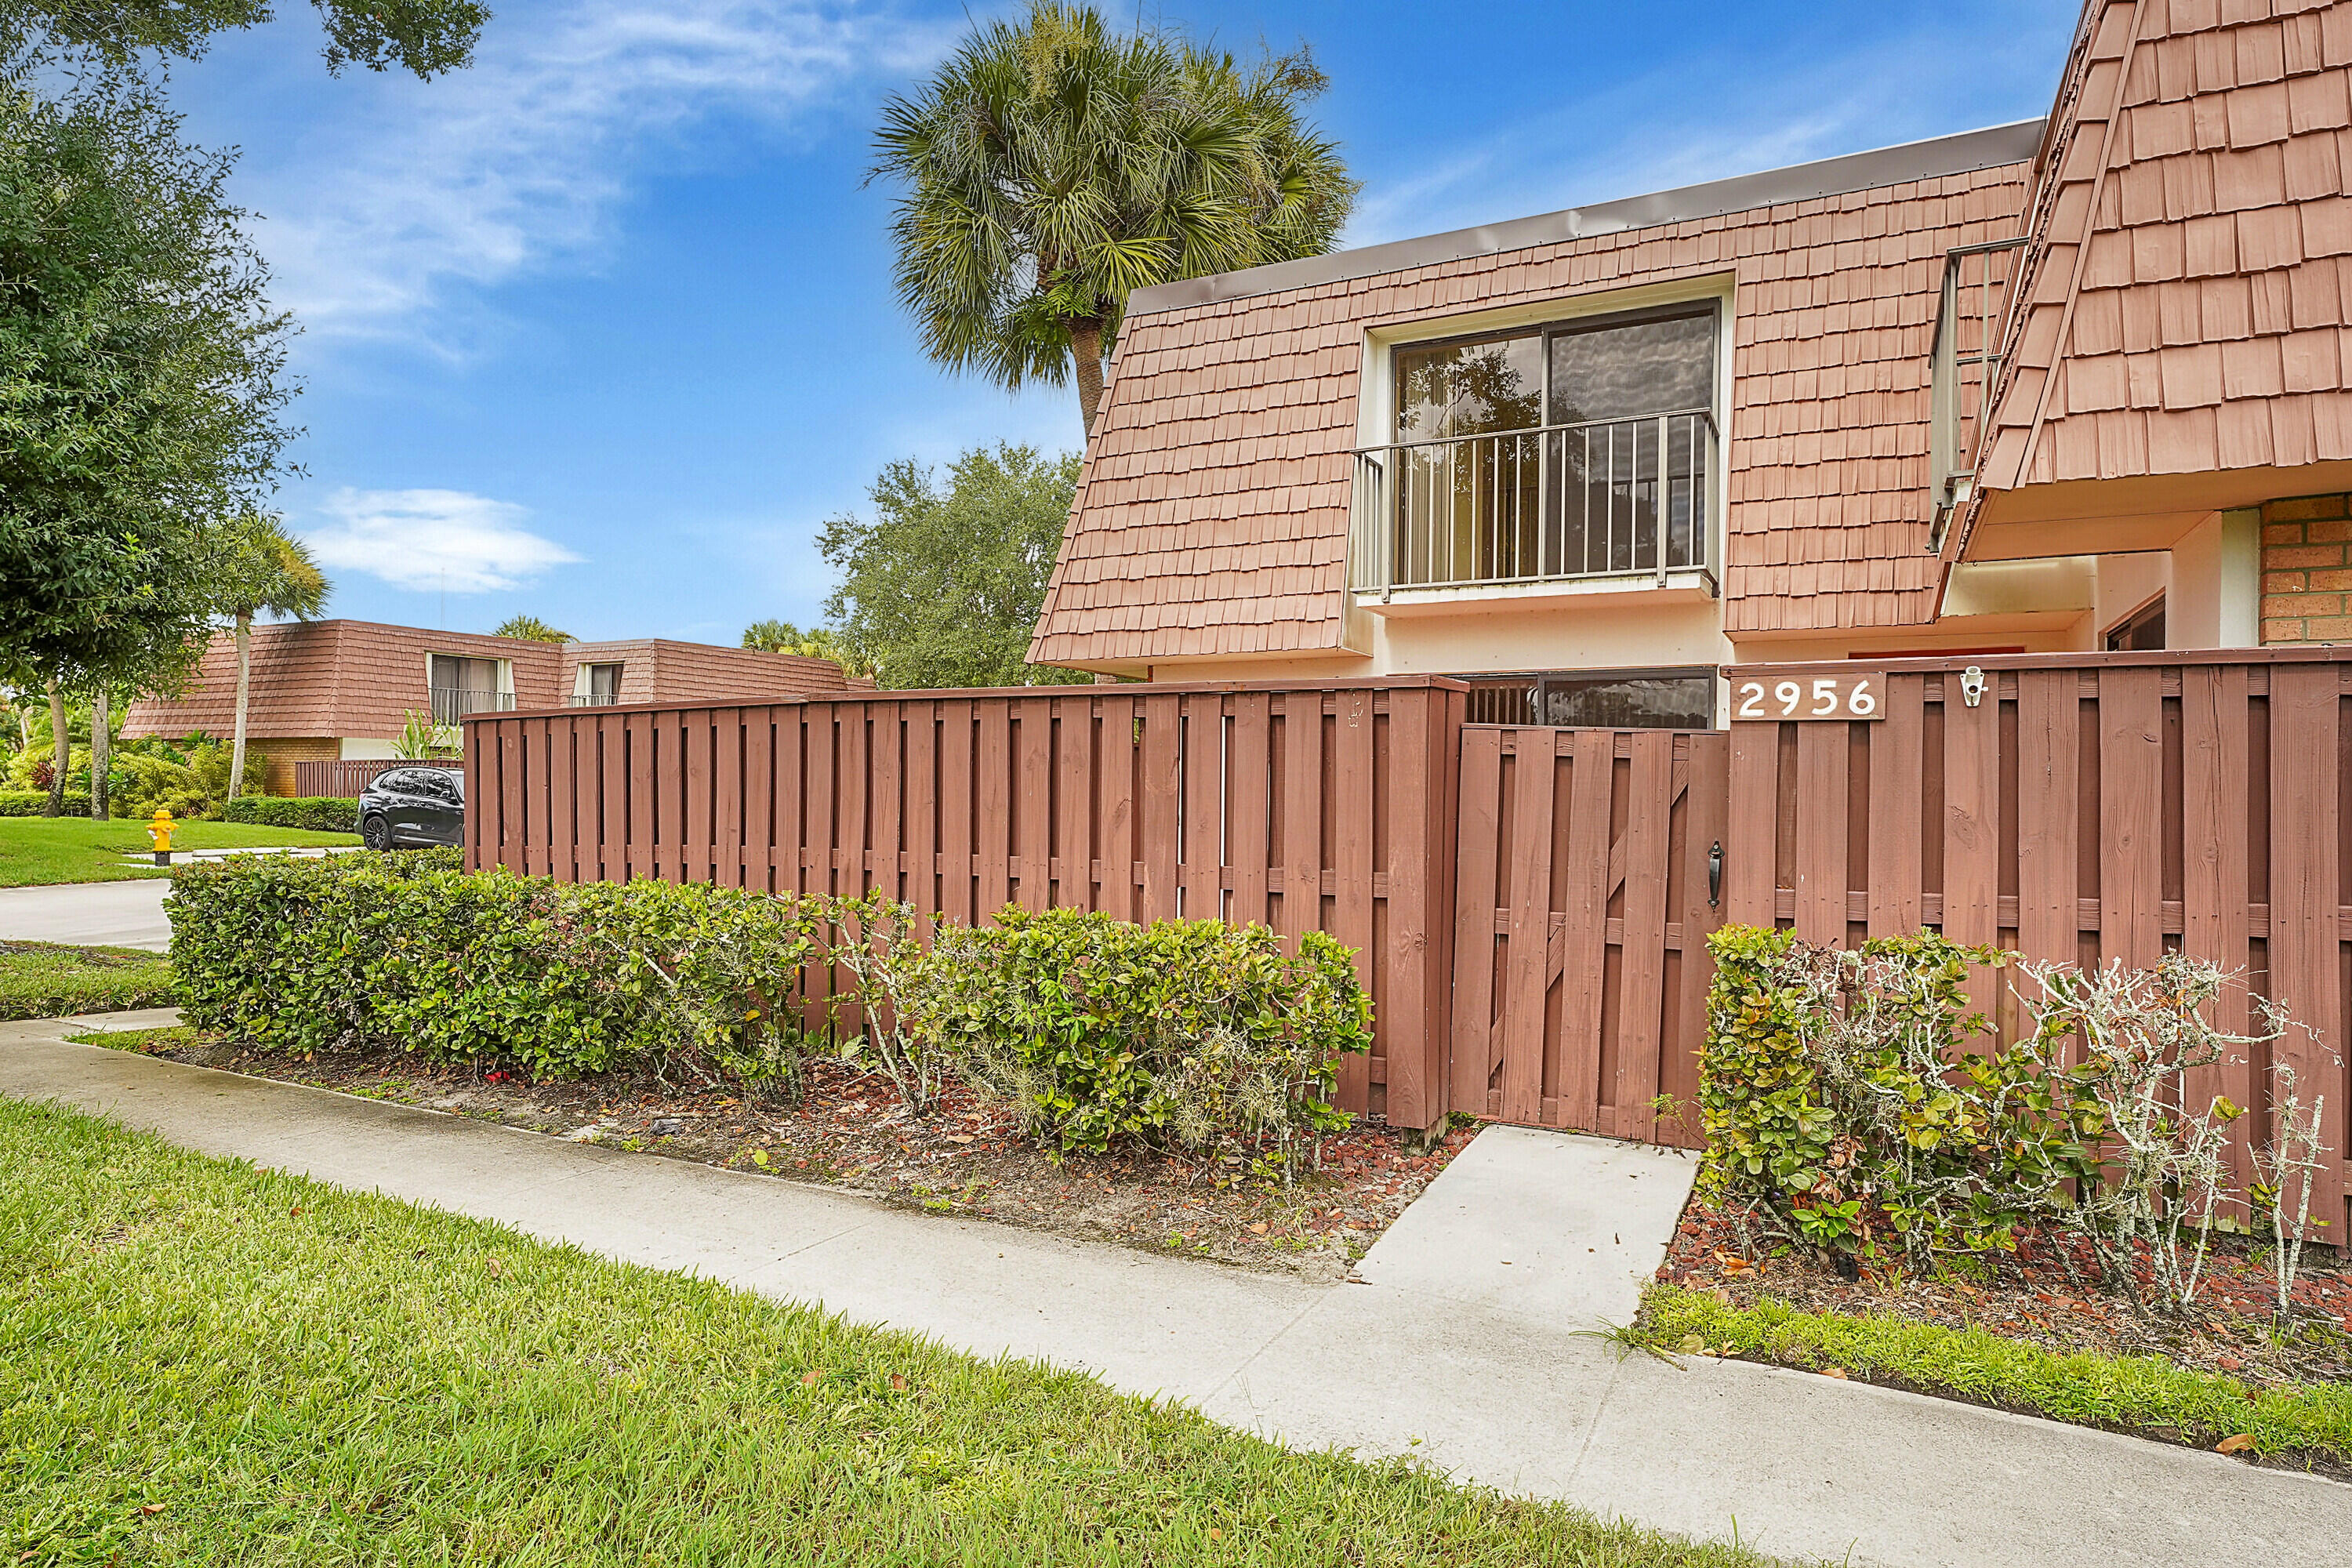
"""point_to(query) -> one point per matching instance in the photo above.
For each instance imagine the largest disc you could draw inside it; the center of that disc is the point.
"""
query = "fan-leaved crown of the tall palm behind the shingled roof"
(1055, 166)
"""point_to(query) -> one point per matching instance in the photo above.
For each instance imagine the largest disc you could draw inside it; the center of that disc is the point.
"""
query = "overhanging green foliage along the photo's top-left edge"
(420, 36)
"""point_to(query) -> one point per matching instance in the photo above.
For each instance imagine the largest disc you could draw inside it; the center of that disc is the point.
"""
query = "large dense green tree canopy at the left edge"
(142, 387)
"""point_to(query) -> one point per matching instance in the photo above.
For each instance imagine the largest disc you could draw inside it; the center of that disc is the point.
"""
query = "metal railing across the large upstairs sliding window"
(1601, 500)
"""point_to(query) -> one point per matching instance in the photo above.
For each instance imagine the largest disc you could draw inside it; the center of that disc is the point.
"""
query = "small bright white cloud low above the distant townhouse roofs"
(434, 540)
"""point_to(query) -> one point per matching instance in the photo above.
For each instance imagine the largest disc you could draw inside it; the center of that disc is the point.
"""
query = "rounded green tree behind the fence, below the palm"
(942, 587)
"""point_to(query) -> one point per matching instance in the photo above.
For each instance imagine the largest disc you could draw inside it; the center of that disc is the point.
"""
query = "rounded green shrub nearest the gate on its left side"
(1182, 1033)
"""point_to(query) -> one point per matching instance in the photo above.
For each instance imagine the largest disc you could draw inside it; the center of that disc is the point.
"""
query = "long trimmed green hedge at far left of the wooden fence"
(566, 979)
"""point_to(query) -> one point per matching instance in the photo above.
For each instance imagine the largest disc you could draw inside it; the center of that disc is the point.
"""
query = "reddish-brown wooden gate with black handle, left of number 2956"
(1584, 899)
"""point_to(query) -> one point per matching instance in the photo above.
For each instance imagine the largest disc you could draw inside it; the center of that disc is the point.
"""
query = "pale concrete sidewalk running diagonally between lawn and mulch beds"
(1492, 1391)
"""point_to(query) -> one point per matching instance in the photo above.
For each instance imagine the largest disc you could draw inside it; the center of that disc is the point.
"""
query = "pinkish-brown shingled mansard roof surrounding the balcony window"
(1212, 514)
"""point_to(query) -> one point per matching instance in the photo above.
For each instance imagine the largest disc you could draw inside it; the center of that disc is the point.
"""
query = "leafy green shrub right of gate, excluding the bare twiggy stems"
(1843, 1099)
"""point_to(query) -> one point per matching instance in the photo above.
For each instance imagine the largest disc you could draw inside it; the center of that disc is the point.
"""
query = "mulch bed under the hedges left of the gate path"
(850, 1130)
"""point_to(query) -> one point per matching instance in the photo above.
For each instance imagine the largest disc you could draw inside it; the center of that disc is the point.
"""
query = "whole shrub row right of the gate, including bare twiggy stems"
(1850, 1108)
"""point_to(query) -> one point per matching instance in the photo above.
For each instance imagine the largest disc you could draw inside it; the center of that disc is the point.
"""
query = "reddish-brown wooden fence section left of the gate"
(1309, 808)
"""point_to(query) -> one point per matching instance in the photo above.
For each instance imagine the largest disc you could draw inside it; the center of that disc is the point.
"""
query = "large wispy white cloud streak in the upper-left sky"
(401, 189)
